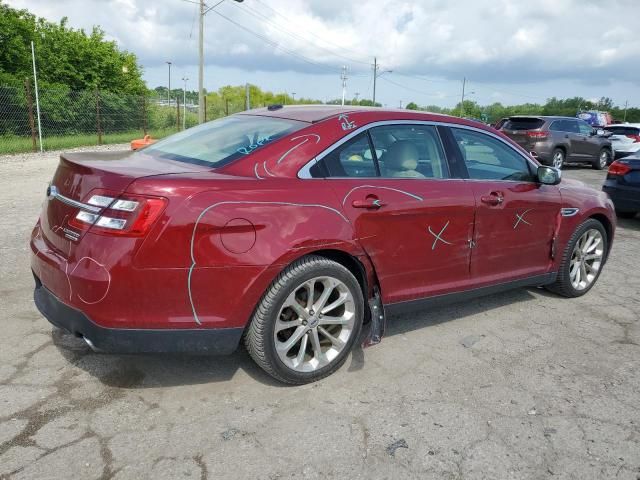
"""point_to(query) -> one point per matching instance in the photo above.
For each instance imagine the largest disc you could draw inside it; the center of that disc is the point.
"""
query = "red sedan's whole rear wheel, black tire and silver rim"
(307, 321)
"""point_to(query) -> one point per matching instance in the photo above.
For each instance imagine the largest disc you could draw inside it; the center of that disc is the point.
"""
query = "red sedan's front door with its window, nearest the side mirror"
(515, 217)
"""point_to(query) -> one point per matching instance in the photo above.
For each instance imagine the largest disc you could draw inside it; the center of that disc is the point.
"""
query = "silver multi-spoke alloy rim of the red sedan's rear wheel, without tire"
(314, 324)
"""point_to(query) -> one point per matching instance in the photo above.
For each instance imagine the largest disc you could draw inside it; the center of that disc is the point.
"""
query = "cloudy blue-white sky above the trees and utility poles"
(509, 50)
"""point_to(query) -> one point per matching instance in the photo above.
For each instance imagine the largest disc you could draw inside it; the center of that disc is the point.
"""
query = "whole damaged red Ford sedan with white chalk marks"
(290, 227)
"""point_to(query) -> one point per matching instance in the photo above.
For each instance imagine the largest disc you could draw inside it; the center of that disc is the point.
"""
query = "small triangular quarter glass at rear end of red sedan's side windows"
(351, 159)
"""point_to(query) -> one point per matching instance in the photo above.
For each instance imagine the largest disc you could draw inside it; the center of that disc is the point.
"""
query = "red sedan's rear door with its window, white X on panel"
(411, 218)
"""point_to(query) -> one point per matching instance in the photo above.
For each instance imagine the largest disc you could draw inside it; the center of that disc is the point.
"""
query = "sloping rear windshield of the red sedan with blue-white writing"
(217, 143)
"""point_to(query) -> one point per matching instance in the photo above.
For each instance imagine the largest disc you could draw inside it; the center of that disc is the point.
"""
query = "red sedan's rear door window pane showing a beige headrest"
(409, 151)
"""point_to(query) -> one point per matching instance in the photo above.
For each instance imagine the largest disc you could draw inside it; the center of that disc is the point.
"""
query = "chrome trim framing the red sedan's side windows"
(304, 172)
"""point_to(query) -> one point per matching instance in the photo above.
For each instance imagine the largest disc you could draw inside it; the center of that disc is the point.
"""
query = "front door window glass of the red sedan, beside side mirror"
(488, 158)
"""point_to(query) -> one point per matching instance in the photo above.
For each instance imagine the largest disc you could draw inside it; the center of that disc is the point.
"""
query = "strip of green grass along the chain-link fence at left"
(15, 144)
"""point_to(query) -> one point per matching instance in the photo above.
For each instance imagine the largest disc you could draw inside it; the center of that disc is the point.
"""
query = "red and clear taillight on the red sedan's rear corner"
(130, 215)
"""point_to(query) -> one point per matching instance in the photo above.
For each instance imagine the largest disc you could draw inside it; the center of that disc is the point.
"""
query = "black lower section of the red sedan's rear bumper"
(207, 341)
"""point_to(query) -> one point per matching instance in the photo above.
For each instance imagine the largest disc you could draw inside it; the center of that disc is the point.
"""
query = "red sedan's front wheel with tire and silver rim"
(582, 260)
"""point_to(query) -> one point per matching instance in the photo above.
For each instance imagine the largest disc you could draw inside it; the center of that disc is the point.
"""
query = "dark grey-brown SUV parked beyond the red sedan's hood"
(554, 140)
